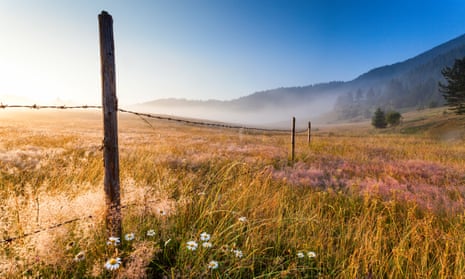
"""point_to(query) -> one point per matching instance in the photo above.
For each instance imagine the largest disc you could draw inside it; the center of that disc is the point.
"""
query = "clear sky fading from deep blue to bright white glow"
(210, 49)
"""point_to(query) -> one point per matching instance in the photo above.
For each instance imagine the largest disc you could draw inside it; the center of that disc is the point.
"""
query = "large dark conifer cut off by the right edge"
(454, 90)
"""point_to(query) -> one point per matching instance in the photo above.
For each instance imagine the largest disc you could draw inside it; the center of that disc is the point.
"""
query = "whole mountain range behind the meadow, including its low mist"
(406, 85)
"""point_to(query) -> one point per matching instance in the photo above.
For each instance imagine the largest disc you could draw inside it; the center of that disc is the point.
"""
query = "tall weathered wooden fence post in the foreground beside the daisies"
(110, 126)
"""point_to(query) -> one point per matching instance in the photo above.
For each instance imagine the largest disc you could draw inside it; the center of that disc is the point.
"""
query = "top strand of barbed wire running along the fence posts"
(159, 117)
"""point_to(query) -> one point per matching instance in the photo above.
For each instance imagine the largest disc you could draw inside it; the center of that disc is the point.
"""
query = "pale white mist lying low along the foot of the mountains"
(263, 115)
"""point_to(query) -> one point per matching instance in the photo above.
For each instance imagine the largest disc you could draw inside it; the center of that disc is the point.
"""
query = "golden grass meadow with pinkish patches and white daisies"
(203, 202)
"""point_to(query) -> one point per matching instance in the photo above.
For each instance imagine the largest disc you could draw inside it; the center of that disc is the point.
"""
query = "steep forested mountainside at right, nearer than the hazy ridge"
(411, 84)
